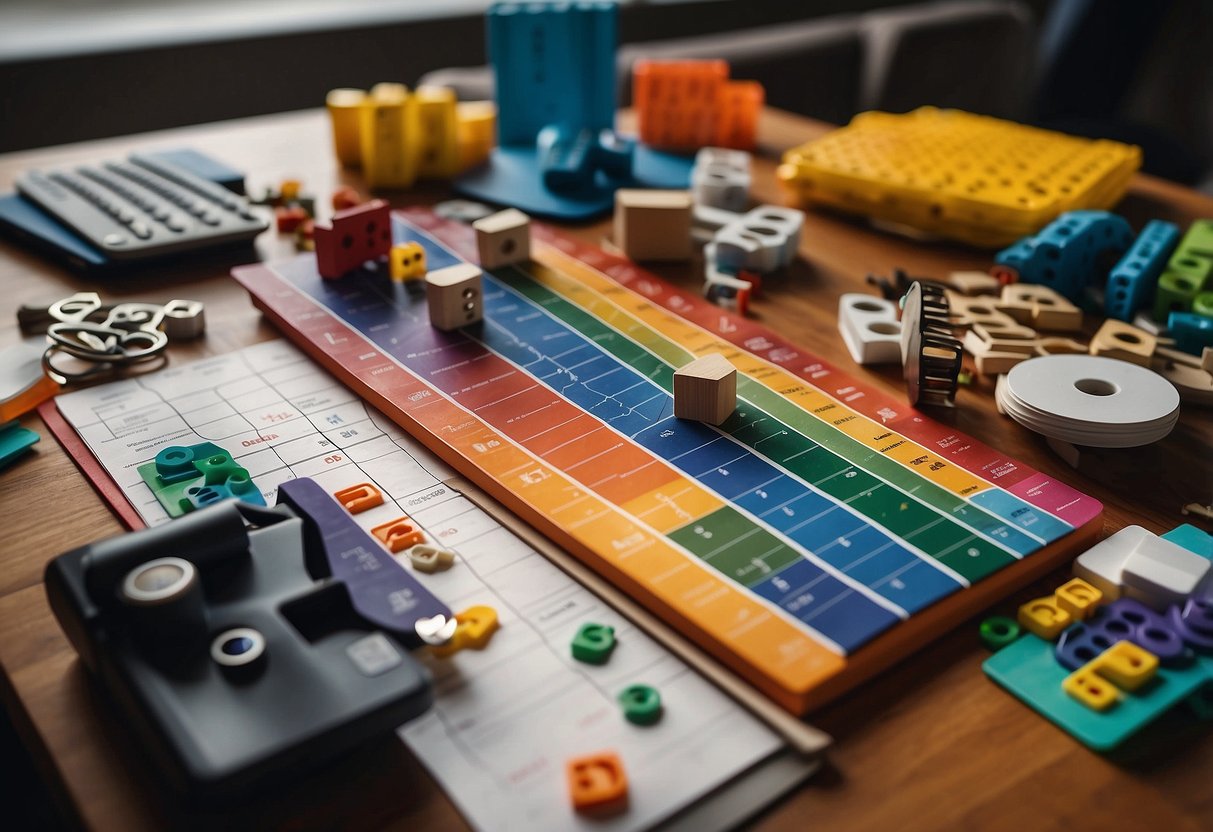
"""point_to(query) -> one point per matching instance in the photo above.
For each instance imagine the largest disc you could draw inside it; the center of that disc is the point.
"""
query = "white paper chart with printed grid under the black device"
(505, 720)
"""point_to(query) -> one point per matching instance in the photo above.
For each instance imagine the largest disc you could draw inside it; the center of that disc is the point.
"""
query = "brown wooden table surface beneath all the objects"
(930, 745)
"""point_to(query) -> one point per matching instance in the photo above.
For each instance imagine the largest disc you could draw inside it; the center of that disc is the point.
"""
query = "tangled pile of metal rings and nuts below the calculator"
(109, 338)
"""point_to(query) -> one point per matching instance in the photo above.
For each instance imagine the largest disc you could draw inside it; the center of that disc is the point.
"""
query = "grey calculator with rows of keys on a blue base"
(143, 208)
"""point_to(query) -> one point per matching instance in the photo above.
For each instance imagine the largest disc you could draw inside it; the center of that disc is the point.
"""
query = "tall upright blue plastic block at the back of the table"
(555, 65)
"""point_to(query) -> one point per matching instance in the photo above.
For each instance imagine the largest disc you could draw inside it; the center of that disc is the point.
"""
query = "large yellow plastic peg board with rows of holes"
(969, 178)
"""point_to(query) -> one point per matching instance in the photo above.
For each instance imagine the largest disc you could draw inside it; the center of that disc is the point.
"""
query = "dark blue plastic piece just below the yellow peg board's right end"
(1067, 254)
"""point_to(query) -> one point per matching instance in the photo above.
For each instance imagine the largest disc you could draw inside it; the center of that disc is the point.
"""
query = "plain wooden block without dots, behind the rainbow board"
(653, 225)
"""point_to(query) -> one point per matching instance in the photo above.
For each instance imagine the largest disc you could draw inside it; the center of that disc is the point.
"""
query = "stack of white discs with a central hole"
(1091, 401)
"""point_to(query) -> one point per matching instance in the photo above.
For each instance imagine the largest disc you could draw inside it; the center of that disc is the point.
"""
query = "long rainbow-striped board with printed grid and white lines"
(821, 534)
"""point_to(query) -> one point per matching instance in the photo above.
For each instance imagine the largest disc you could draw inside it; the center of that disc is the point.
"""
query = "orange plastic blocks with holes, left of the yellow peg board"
(688, 105)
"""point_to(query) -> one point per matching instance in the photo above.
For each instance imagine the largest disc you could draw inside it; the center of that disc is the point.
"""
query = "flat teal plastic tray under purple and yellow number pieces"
(1028, 670)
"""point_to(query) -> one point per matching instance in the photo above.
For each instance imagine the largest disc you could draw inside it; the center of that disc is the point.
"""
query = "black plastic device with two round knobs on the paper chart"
(237, 659)
